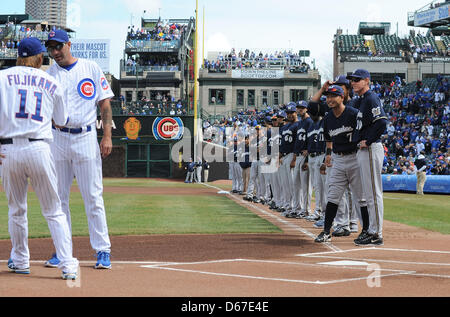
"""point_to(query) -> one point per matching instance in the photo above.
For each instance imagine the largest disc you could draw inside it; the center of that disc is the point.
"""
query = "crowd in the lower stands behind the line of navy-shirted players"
(418, 124)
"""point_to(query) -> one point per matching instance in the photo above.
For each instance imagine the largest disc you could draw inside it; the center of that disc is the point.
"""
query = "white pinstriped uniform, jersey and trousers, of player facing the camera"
(78, 154)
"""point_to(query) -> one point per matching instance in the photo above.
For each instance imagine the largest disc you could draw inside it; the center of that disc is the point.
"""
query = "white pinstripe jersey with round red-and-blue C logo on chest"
(85, 86)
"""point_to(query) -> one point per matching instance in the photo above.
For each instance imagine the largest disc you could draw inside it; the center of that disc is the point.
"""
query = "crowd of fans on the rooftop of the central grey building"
(252, 60)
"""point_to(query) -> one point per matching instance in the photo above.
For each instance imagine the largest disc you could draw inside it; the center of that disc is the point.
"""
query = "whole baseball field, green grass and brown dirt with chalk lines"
(171, 239)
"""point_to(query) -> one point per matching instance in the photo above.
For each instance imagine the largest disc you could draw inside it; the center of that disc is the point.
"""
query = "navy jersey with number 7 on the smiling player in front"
(340, 130)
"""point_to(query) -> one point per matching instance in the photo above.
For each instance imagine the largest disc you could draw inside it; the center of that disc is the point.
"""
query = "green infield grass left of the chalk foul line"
(138, 214)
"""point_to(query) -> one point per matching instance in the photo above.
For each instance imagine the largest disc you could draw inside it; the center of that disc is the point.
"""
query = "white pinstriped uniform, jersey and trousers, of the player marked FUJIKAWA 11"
(29, 99)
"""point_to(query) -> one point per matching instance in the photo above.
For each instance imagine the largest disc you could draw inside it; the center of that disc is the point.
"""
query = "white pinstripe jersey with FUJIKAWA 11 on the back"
(29, 99)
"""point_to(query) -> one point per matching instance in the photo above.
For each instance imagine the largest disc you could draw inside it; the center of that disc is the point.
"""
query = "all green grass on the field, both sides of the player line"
(139, 214)
